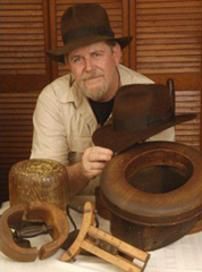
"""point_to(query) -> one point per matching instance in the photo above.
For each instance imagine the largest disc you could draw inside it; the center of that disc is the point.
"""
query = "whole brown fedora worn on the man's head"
(83, 24)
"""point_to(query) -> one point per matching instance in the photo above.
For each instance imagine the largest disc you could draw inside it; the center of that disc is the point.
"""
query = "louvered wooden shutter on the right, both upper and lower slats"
(168, 44)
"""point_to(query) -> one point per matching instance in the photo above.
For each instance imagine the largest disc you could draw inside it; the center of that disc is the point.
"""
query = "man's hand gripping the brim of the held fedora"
(94, 160)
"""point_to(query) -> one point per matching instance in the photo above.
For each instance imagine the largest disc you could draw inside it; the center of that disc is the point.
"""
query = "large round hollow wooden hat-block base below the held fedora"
(153, 193)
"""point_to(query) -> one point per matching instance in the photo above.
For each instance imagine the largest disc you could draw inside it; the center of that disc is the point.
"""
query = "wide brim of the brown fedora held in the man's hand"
(119, 141)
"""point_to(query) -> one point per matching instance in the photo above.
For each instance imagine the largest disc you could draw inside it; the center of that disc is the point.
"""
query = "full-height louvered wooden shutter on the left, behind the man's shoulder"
(24, 68)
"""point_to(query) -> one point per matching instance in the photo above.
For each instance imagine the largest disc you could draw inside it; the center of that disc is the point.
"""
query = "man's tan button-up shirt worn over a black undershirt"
(64, 122)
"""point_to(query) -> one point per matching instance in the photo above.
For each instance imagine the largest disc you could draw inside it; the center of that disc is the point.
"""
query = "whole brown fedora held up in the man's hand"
(139, 112)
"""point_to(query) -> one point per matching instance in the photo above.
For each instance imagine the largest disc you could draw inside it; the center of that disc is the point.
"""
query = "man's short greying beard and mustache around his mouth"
(93, 85)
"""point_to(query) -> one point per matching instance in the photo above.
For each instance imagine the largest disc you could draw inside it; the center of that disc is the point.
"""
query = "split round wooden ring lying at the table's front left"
(46, 212)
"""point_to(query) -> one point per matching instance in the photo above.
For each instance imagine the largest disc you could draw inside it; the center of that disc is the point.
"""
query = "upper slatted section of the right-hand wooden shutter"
(168, 36)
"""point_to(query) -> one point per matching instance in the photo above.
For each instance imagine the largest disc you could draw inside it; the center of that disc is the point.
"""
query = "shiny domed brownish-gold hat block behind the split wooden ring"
(39, 180)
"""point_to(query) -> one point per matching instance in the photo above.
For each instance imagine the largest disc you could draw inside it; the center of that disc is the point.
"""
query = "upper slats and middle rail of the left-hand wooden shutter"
(23, 43)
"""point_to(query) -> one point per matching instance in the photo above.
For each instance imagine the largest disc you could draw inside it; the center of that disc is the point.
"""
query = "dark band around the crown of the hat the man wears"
(87, 32)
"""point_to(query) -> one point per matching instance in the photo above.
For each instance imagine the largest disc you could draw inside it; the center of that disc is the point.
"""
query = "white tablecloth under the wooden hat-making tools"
(184, 255)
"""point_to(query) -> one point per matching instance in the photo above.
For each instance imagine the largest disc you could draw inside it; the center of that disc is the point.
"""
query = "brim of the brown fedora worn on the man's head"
(58, 53)
